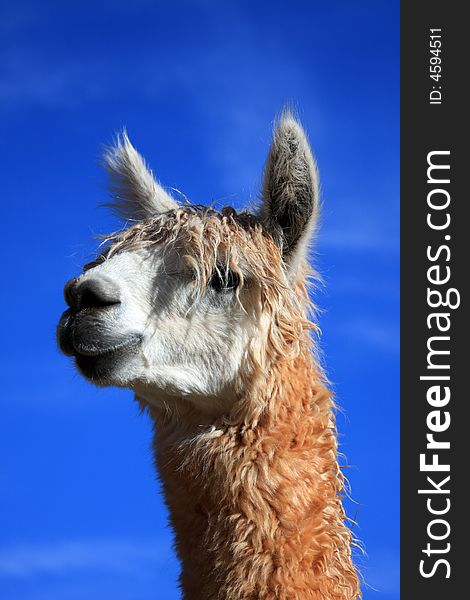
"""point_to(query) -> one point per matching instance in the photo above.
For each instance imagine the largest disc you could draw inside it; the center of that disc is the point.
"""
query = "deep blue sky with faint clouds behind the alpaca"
(197, 84)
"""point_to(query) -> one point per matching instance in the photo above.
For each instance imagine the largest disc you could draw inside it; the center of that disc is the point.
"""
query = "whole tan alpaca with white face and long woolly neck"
(205, 316)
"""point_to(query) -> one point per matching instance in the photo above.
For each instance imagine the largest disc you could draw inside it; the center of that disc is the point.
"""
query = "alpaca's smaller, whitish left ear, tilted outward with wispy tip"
(136, 194)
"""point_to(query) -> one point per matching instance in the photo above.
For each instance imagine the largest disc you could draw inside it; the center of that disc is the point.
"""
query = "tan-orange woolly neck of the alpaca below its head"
(257, 510)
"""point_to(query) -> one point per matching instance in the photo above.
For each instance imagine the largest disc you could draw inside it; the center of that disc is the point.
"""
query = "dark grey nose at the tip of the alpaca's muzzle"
(91, 293)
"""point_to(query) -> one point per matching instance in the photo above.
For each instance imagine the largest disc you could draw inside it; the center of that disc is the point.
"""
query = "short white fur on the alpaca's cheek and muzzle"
(191, 346)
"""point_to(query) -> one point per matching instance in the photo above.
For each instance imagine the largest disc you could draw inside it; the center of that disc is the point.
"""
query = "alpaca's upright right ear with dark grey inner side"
(290, 191)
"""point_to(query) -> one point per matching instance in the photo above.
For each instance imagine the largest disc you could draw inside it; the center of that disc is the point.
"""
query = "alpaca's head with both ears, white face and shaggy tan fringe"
(188, 301)
